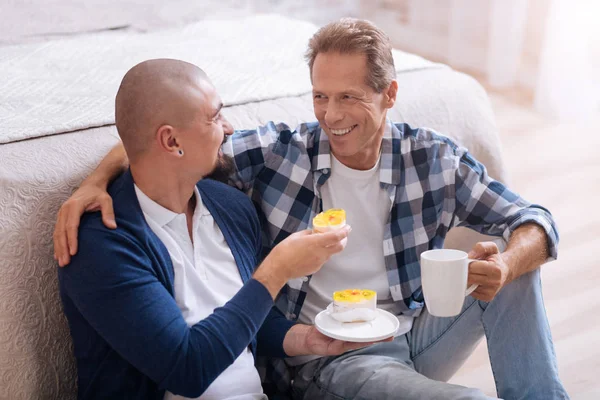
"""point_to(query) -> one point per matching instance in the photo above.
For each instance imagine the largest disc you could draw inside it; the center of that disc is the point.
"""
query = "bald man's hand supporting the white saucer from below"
(306, 340)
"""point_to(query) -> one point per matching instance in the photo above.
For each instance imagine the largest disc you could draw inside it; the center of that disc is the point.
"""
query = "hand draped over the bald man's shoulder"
(89, 197)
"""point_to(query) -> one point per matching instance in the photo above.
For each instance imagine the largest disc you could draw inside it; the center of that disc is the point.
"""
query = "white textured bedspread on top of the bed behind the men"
(66, 85)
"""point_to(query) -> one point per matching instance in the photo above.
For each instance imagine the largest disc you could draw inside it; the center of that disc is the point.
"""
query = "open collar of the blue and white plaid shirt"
(391, 156)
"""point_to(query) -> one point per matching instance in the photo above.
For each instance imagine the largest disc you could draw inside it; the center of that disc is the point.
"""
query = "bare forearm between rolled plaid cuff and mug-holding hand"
(527, 249)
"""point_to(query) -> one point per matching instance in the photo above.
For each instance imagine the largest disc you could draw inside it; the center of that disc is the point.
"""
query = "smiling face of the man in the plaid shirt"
(351, 113)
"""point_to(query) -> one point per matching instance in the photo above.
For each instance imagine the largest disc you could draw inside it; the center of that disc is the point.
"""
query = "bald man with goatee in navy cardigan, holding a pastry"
(168, 304)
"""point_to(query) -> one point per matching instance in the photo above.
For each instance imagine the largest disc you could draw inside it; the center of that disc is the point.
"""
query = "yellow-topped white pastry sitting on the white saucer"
(354, 305)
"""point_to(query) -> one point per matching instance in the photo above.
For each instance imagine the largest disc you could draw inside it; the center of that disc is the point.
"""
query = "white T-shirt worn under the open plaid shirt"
(361, 264)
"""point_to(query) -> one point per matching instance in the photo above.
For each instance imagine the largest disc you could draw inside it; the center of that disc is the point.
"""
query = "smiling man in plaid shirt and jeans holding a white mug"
(403, 189)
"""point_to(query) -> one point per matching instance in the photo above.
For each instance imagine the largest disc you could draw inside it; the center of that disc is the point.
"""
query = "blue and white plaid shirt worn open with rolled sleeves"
(433, 185)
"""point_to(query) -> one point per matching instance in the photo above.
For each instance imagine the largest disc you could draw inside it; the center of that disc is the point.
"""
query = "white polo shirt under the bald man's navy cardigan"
(206, 277)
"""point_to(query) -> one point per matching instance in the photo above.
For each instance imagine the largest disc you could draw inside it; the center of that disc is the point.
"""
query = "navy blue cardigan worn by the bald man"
(130, 339)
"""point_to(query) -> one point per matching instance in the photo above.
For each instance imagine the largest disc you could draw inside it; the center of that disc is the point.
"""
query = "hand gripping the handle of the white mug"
(491, 273)
